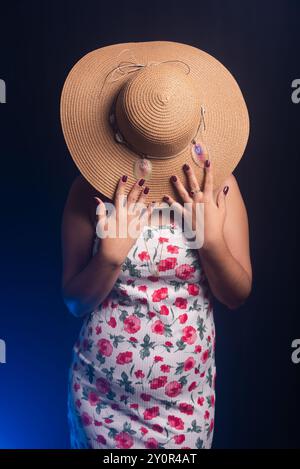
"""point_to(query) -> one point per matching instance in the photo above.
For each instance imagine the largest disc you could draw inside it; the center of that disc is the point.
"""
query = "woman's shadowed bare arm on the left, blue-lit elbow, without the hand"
(86, 279)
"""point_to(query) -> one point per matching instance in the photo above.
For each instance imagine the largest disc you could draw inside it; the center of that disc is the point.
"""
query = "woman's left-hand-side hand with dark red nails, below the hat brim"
(128, 218)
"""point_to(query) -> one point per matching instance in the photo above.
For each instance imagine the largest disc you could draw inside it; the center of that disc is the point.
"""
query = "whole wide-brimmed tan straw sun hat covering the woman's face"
(143, 109)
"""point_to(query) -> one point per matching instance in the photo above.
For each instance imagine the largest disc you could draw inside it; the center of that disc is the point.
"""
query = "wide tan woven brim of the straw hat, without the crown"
(89, 136)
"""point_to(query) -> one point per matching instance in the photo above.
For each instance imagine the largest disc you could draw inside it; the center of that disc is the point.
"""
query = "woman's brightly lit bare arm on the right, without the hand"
(227, 262)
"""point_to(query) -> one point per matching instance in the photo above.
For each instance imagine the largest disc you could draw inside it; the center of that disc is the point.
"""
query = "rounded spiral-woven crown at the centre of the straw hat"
(158, 110)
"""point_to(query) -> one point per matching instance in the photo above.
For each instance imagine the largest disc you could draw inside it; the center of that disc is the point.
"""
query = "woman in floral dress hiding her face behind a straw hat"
(143, 369)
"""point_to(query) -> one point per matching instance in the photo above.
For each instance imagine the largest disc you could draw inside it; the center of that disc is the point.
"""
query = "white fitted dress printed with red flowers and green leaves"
(143, 369)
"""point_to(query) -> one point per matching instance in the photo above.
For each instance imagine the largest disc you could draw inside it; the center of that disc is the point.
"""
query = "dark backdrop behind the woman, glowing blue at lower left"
(257, 384)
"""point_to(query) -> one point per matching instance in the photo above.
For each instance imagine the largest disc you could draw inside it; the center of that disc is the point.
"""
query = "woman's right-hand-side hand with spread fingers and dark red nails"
(214, 211)
